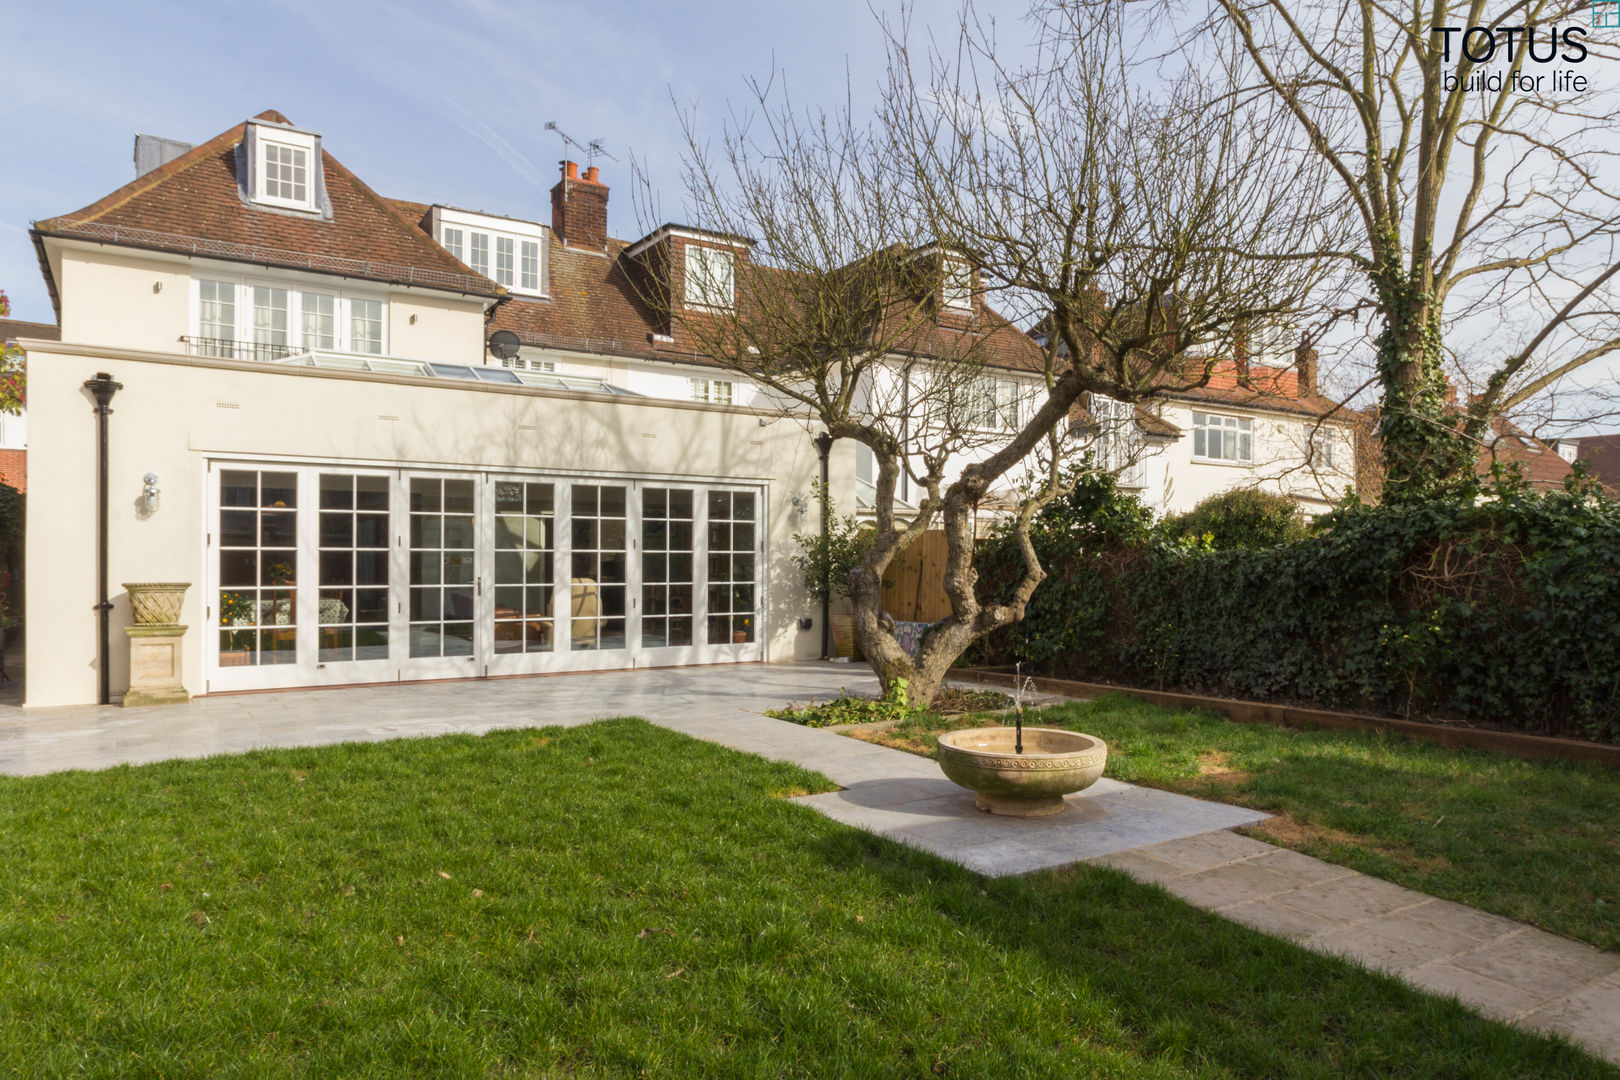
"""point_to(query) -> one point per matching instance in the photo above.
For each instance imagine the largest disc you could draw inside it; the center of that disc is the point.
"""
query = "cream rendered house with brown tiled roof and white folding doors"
(396, 441)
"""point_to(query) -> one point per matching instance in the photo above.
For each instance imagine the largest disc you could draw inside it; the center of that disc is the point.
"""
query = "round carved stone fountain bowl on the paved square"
(1028, 784)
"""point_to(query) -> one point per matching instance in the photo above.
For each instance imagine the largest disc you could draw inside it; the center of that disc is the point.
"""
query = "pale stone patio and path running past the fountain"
(1503, 969)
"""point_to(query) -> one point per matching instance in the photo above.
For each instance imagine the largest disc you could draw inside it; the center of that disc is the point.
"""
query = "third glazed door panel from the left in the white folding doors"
(441, 566)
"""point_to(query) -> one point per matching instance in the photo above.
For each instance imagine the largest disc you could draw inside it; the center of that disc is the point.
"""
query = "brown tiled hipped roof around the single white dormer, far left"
(194, 206)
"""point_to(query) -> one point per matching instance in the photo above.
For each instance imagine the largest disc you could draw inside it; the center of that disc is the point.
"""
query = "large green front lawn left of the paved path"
(623, 901)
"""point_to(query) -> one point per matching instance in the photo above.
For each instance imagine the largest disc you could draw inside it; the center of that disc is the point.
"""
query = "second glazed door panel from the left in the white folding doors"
(354, 605)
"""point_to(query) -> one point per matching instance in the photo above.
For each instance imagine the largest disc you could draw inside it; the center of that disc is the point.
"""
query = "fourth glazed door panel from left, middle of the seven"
(524, 568)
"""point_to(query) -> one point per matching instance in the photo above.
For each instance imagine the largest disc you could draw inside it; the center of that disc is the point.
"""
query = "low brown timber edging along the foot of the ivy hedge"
(1519, 744)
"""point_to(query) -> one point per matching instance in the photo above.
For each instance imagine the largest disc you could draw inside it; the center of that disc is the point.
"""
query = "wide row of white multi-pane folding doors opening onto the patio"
(326, 576)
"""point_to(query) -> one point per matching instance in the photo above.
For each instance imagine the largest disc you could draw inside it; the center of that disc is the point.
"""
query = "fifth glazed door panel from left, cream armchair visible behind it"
(599, 572)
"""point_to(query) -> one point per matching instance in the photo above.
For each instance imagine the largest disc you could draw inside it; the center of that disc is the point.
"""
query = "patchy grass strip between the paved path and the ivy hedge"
(1535, 841)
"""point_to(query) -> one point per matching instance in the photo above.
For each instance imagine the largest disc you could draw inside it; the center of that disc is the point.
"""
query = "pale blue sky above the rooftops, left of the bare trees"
(441, 103)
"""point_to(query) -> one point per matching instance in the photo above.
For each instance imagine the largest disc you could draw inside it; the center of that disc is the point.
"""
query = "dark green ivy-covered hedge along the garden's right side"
(1501, 610)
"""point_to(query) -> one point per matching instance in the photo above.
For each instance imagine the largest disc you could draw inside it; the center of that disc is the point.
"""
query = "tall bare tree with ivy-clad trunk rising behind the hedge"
(1472, 143)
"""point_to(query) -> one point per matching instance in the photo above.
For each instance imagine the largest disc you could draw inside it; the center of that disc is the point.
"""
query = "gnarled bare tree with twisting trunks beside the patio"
(1128, 226)
